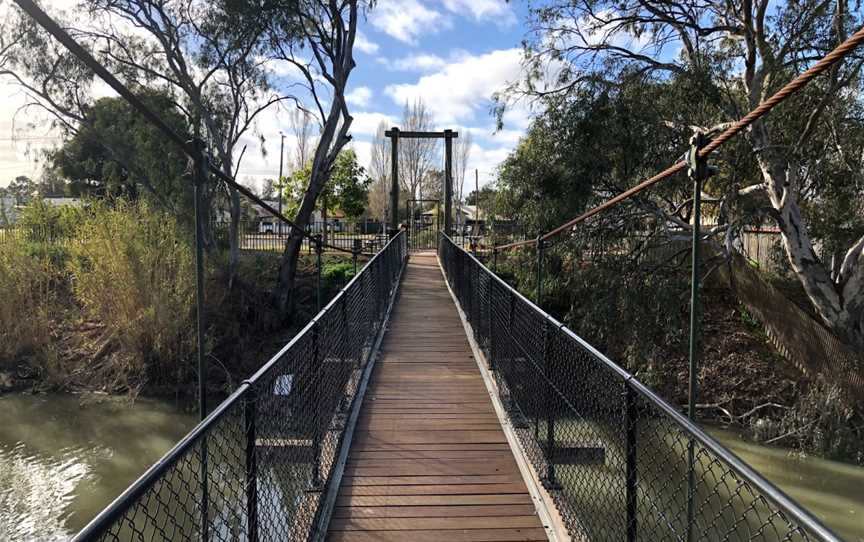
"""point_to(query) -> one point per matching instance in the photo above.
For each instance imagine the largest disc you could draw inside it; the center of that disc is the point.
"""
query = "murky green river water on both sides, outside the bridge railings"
(61, 463)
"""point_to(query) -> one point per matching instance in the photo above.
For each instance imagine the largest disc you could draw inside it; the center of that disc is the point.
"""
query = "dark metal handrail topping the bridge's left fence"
(108, 516)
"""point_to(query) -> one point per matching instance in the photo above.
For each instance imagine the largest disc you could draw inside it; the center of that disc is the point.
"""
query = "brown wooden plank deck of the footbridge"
(429, 460)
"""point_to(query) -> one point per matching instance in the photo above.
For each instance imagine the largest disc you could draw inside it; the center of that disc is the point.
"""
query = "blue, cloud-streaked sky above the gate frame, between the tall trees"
(454, 54)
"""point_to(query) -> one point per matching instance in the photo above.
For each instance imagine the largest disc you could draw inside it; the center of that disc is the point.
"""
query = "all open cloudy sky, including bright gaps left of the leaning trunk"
(454, 54)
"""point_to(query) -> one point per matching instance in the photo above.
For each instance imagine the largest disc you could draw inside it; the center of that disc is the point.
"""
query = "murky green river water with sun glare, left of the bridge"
(61, 462)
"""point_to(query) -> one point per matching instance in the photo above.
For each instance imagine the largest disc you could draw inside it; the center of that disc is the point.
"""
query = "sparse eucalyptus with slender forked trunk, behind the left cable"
(205, 56)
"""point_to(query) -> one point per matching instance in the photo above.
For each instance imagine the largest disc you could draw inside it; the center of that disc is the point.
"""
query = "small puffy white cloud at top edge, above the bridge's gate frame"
(406, 20)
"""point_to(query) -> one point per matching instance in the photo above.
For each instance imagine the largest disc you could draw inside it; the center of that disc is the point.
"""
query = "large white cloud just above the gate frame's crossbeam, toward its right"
(460, 89)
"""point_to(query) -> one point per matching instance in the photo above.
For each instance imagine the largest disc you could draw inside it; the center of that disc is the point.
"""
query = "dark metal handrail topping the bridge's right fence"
(771, 492)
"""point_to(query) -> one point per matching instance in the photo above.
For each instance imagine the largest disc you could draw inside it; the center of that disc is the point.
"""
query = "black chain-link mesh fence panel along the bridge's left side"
(258, 466)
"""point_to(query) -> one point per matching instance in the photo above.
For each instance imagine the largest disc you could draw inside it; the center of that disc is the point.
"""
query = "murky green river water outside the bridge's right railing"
(831, 491)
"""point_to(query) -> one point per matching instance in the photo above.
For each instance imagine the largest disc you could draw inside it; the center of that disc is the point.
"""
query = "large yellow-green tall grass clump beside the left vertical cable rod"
(132, 271)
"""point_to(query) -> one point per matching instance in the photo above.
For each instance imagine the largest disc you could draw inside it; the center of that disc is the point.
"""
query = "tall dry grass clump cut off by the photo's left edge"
(26, 291)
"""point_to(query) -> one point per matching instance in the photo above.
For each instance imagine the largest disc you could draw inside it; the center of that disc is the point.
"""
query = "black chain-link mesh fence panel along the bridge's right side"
(618, 461)
